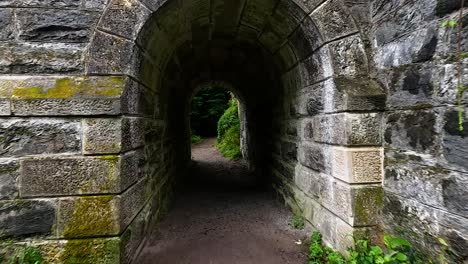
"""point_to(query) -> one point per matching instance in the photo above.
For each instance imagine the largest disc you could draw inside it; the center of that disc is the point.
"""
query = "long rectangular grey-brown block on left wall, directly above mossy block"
(70, 176)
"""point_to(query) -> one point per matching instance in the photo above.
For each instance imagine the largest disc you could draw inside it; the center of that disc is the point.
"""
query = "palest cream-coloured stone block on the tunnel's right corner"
(357, 165)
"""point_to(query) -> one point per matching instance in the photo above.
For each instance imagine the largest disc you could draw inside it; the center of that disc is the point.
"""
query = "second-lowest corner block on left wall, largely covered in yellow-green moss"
(88, 216)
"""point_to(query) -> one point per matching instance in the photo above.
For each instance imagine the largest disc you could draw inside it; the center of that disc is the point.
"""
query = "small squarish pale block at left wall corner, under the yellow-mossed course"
(102, 135)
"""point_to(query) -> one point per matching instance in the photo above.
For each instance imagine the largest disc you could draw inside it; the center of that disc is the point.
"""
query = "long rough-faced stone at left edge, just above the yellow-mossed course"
(43, 58)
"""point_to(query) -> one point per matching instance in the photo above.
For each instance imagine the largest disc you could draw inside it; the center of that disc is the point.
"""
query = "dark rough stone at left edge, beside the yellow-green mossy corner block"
(27, 217)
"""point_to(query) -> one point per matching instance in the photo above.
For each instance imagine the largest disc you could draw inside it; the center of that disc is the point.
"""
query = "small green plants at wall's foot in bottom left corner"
(14, 254)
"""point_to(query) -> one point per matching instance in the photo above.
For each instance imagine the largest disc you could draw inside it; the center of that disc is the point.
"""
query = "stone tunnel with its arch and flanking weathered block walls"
(349, 111)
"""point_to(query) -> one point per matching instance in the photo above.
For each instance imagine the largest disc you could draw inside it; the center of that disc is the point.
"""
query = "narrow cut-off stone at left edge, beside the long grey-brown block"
(9, 173)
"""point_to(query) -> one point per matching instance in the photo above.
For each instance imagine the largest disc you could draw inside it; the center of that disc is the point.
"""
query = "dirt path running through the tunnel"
(221, 219)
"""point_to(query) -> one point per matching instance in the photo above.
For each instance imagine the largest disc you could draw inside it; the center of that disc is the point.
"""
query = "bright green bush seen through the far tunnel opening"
(229, 132)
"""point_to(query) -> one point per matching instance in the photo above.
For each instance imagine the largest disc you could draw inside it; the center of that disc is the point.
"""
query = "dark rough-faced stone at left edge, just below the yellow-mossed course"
(39, 136)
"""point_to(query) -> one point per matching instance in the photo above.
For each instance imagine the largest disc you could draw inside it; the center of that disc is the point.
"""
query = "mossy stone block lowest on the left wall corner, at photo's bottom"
(91, 251)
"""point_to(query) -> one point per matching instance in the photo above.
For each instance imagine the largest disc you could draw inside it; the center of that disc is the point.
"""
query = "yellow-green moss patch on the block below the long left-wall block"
(92, 216)
